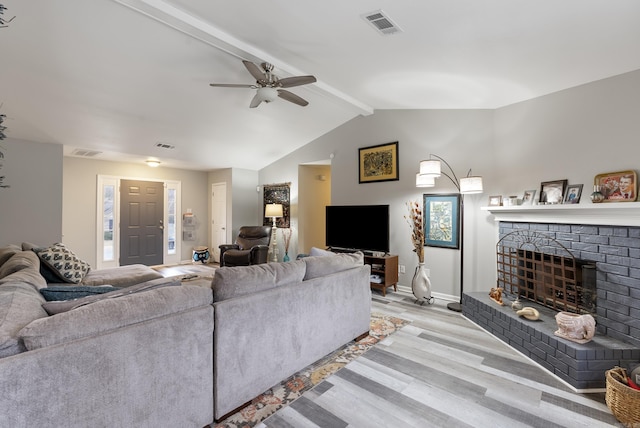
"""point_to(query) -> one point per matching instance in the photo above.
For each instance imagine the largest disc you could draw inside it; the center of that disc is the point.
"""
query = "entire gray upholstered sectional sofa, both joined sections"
(150, 356)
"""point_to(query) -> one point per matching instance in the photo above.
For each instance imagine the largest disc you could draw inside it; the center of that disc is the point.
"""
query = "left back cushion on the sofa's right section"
(234, 281)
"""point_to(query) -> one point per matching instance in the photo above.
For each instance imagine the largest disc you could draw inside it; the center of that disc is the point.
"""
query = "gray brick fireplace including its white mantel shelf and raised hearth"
(606, 238)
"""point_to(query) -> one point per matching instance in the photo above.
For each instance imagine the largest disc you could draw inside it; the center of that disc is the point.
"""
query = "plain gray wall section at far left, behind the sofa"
(32, 206)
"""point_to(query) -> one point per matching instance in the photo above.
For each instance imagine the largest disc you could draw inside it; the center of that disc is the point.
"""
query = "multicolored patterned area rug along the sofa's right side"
(292, 388)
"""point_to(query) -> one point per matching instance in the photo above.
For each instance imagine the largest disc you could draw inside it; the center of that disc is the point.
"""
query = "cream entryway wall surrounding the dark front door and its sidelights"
(79, 200)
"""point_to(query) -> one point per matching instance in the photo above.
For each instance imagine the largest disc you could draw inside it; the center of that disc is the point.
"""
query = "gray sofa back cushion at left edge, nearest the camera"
(20, 304)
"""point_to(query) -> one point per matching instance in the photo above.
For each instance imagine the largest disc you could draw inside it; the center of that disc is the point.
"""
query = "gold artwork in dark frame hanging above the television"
(378, 163)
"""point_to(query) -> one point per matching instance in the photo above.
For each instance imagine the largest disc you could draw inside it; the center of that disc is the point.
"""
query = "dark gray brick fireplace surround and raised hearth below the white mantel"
(594, 269)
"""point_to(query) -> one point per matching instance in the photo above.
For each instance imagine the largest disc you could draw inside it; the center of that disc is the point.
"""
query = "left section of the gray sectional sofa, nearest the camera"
(143, 359)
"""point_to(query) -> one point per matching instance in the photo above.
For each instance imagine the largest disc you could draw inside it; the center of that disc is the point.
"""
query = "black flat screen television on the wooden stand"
(358, 227)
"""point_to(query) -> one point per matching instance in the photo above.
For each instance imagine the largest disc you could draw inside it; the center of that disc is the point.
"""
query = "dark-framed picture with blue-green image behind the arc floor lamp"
(442, 221)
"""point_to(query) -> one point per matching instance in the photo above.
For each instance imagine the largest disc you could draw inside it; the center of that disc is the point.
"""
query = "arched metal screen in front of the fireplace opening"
(536, 267)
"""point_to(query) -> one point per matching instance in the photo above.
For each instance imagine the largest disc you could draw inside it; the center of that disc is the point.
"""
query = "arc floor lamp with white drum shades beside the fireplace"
(431, 169)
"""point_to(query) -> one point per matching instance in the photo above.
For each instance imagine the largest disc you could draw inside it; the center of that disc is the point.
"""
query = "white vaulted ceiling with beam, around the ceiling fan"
(121, 76)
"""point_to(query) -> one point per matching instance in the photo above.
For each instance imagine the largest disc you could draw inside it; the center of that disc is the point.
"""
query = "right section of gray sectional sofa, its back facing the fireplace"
(274, 319)
